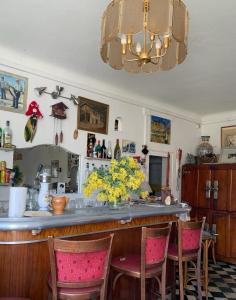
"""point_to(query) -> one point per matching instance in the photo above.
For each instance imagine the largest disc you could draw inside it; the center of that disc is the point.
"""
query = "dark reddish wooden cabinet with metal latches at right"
(212, 191)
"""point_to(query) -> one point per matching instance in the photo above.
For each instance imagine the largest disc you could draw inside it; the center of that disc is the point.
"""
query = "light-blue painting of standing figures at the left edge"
(13, 92)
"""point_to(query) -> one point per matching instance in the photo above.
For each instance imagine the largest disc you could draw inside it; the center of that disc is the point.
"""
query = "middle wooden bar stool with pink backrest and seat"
(150, 264)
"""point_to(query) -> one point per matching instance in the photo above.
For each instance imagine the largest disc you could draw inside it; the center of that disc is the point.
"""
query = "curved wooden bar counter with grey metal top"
(24, 259)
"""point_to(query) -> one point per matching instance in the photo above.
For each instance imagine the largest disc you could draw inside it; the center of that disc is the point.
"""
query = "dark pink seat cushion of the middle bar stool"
(130, 262)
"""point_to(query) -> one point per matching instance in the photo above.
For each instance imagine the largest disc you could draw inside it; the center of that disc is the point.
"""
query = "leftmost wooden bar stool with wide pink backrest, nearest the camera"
(79, 269)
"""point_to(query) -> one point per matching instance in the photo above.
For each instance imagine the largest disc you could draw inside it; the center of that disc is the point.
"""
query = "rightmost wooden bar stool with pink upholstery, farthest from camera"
(188, 248)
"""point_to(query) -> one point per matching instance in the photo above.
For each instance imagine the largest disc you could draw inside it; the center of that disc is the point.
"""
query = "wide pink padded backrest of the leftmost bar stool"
(77, 267)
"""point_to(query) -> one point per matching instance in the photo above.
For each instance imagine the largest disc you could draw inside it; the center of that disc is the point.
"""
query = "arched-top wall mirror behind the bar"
(63, 164)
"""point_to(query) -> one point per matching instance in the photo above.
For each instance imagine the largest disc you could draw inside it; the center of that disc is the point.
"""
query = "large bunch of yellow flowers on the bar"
(118, 182)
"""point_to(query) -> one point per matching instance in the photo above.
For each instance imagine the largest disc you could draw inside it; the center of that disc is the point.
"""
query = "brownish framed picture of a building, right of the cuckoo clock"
(93, 116)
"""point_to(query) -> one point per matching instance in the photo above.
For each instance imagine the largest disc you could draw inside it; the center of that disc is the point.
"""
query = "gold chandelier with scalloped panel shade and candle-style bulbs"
(144, 35)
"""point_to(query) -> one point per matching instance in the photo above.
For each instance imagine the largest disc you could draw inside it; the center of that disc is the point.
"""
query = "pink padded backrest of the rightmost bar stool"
(190, 239)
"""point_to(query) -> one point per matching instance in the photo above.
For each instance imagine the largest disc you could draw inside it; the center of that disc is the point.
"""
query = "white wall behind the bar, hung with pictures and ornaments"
(135, 122)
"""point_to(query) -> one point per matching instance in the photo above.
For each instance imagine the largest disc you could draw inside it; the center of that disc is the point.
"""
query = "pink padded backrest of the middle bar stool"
(155, 249)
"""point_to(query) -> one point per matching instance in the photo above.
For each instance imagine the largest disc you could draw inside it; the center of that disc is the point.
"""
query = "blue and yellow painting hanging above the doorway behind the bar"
(160, 130)
